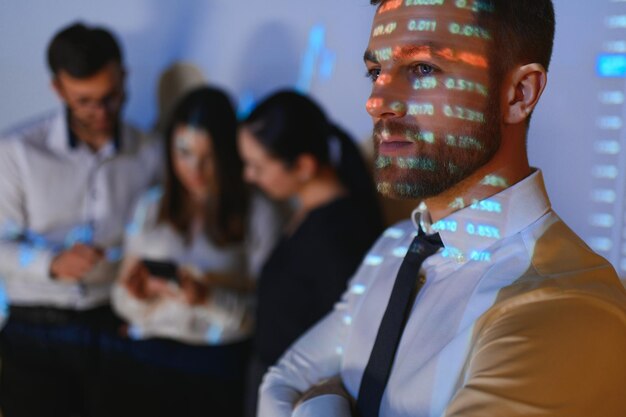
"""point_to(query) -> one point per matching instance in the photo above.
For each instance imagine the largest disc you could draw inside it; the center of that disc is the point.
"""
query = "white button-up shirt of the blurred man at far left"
(54, 193)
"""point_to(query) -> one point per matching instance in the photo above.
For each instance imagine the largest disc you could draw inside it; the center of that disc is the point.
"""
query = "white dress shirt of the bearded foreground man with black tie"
(517, 317)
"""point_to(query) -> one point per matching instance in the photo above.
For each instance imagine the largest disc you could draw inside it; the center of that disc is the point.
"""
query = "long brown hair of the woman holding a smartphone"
(225, 213)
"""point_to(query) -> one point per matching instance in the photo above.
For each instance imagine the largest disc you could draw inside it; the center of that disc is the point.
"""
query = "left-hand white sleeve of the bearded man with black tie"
(316, 356)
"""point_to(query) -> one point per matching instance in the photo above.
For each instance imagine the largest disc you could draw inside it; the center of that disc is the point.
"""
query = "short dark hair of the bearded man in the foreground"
(523, 31)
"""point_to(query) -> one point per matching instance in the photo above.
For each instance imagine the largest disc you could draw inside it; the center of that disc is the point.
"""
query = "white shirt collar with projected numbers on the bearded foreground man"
(468, 232)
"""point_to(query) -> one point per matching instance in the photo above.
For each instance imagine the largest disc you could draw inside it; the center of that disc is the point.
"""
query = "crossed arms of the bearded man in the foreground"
(562, 357)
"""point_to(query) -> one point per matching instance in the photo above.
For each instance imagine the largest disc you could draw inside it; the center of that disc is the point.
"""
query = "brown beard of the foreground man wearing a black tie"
(438, 166)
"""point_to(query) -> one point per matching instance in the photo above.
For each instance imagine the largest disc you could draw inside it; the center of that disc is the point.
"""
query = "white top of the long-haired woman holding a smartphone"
(225, 316)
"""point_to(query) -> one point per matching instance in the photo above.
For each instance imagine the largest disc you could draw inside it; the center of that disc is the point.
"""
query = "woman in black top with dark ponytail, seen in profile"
(292, 152)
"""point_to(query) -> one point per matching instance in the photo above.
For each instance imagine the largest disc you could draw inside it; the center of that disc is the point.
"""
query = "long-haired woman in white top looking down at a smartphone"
(191, 254)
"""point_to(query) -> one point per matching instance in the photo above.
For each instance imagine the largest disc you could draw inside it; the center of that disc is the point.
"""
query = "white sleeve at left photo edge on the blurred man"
(21, 255)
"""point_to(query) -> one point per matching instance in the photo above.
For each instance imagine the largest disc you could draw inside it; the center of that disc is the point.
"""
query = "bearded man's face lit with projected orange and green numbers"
(435, 112)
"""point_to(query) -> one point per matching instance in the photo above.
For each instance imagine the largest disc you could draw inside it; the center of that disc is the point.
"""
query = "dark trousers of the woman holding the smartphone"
(159, 377)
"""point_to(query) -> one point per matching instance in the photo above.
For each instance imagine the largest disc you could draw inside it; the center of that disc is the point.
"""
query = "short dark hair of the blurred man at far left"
(82, 51)
